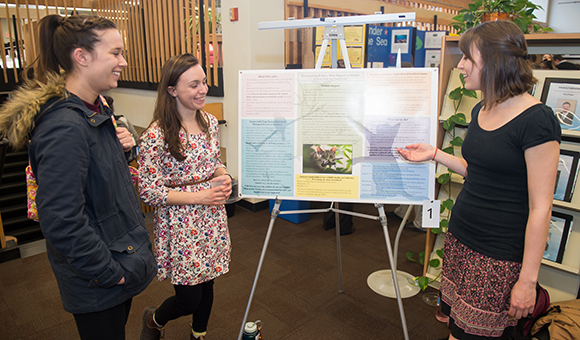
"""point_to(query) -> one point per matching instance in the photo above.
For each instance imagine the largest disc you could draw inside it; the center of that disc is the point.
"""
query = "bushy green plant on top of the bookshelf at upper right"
(520, 12)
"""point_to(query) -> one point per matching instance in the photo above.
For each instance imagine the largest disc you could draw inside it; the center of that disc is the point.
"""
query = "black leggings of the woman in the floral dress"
(196, 300)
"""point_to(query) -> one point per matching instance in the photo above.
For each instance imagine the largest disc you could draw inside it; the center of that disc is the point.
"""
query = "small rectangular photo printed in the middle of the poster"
(336, 159)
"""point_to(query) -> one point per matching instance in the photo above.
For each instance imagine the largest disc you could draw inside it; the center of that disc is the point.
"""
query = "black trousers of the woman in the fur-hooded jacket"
(106, 324)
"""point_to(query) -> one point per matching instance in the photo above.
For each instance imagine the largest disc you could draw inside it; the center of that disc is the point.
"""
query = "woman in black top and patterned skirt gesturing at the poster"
(499, 225)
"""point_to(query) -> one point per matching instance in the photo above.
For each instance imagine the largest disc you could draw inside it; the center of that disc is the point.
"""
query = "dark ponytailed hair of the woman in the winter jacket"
(59, 37)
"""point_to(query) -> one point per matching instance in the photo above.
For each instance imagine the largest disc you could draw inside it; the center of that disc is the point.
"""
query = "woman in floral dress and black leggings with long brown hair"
(182, 176)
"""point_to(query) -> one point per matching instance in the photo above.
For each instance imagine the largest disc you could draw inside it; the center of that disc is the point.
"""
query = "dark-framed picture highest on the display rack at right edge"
(563, 96)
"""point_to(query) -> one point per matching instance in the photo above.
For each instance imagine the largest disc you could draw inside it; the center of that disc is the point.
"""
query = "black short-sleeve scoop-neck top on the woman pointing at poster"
(491, 211)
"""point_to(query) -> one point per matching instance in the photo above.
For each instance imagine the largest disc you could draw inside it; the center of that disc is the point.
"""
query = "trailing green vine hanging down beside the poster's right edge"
(457, 119)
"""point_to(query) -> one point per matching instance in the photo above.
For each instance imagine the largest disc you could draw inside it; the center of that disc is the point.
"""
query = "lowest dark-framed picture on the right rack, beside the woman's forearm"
(560, 226)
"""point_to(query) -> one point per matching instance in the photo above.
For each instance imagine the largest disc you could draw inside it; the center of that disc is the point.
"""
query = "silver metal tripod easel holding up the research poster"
(334, 30)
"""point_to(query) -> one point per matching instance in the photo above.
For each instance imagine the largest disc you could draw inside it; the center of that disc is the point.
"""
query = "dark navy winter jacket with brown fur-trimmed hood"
(88, 208)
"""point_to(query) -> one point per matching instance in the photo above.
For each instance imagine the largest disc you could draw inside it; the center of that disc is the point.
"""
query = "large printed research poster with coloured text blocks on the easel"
(332, 135)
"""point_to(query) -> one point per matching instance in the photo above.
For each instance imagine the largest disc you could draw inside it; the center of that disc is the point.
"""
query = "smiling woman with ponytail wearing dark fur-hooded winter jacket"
(88, 209)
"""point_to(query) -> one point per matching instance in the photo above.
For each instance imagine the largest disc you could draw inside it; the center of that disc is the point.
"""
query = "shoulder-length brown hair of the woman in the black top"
(506, 71)
